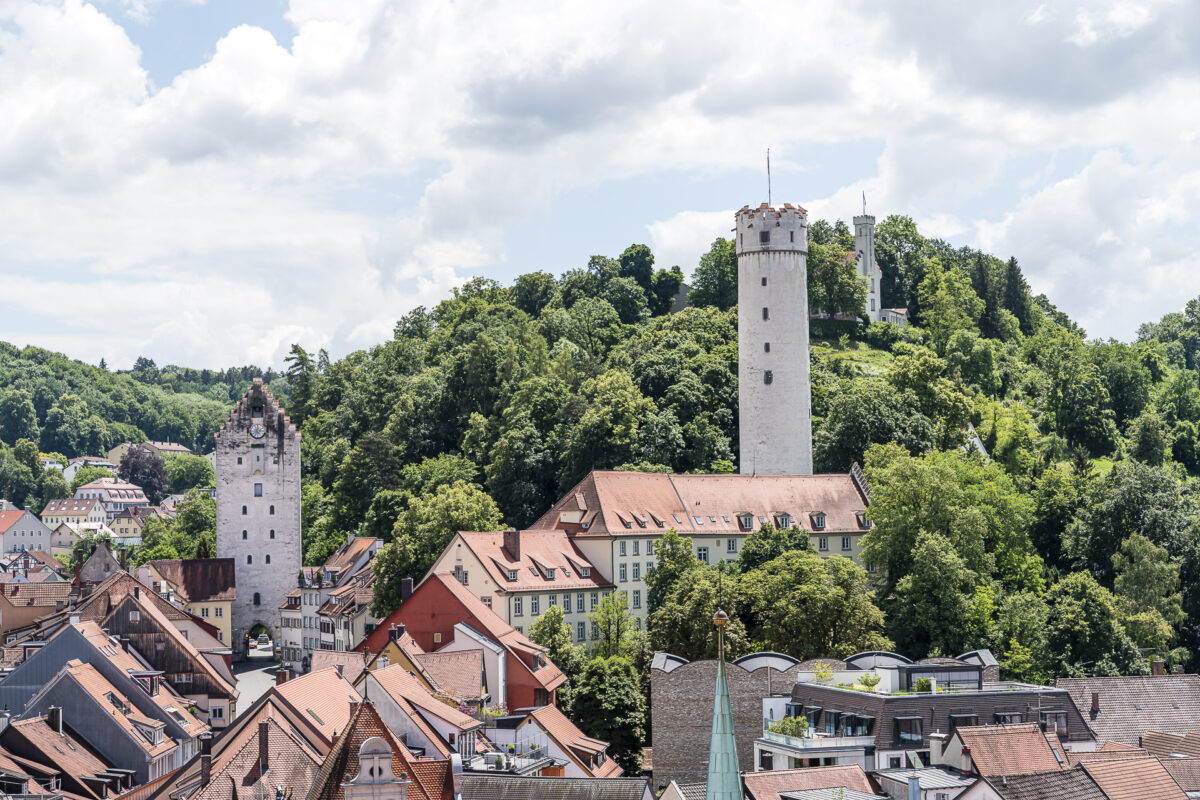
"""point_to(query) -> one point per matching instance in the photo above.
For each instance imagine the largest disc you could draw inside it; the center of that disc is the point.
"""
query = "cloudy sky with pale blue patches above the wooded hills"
(208, 183)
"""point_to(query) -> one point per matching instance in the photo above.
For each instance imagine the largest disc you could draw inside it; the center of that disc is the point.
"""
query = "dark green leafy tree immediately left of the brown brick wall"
(609, 707)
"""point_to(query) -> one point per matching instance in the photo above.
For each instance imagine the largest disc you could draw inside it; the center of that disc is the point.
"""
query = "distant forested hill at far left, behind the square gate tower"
(71, 408)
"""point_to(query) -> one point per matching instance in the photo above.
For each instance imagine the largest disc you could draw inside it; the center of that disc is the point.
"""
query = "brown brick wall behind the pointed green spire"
(682, 714)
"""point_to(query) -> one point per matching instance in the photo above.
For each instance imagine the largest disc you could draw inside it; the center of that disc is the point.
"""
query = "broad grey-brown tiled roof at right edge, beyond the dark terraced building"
(1131, 706)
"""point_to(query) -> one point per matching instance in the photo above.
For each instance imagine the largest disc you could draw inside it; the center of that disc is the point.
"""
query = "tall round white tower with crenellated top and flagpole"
(775, 392)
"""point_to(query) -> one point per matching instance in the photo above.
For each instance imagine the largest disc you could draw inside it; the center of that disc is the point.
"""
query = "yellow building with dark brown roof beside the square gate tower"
(205, 588)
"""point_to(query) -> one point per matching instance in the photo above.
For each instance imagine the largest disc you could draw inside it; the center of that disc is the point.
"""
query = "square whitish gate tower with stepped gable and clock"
(259, 509)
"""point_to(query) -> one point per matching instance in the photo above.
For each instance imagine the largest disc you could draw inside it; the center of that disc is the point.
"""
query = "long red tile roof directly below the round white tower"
(633, 504)
